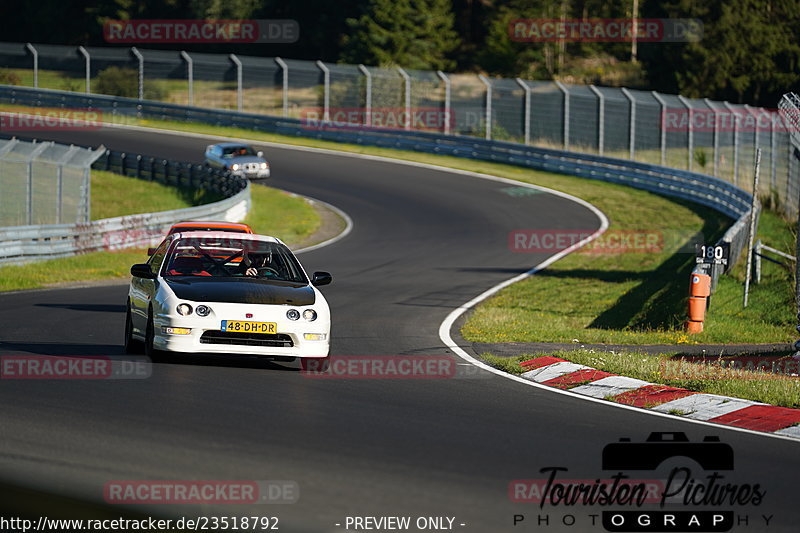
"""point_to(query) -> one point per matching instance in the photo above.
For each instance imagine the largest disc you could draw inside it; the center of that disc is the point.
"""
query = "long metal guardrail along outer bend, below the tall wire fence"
(691, 186)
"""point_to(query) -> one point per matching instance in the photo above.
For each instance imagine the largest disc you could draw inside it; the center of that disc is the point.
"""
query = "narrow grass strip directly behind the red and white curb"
(667, 370)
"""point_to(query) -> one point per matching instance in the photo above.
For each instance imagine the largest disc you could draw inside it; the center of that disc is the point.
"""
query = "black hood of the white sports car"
(241, 291)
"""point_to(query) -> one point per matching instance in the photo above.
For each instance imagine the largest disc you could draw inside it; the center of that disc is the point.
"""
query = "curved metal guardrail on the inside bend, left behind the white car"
(20, 244)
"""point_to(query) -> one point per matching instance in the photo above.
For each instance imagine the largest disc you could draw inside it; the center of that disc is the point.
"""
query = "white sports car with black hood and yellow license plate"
(221, 292)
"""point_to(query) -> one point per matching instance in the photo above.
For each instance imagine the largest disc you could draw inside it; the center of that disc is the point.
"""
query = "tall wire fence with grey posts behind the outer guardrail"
(710, 137)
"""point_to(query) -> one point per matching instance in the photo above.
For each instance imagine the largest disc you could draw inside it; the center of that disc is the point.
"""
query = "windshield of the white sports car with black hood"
(233, 258)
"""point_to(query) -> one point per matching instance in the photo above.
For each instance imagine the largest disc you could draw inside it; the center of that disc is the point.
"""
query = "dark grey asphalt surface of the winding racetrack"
(424, 242)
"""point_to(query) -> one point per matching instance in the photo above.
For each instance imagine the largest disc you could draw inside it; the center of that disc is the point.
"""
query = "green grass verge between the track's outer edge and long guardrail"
(629, 298)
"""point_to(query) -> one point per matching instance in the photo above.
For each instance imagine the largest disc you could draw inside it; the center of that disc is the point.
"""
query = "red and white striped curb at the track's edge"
(729, 411)
